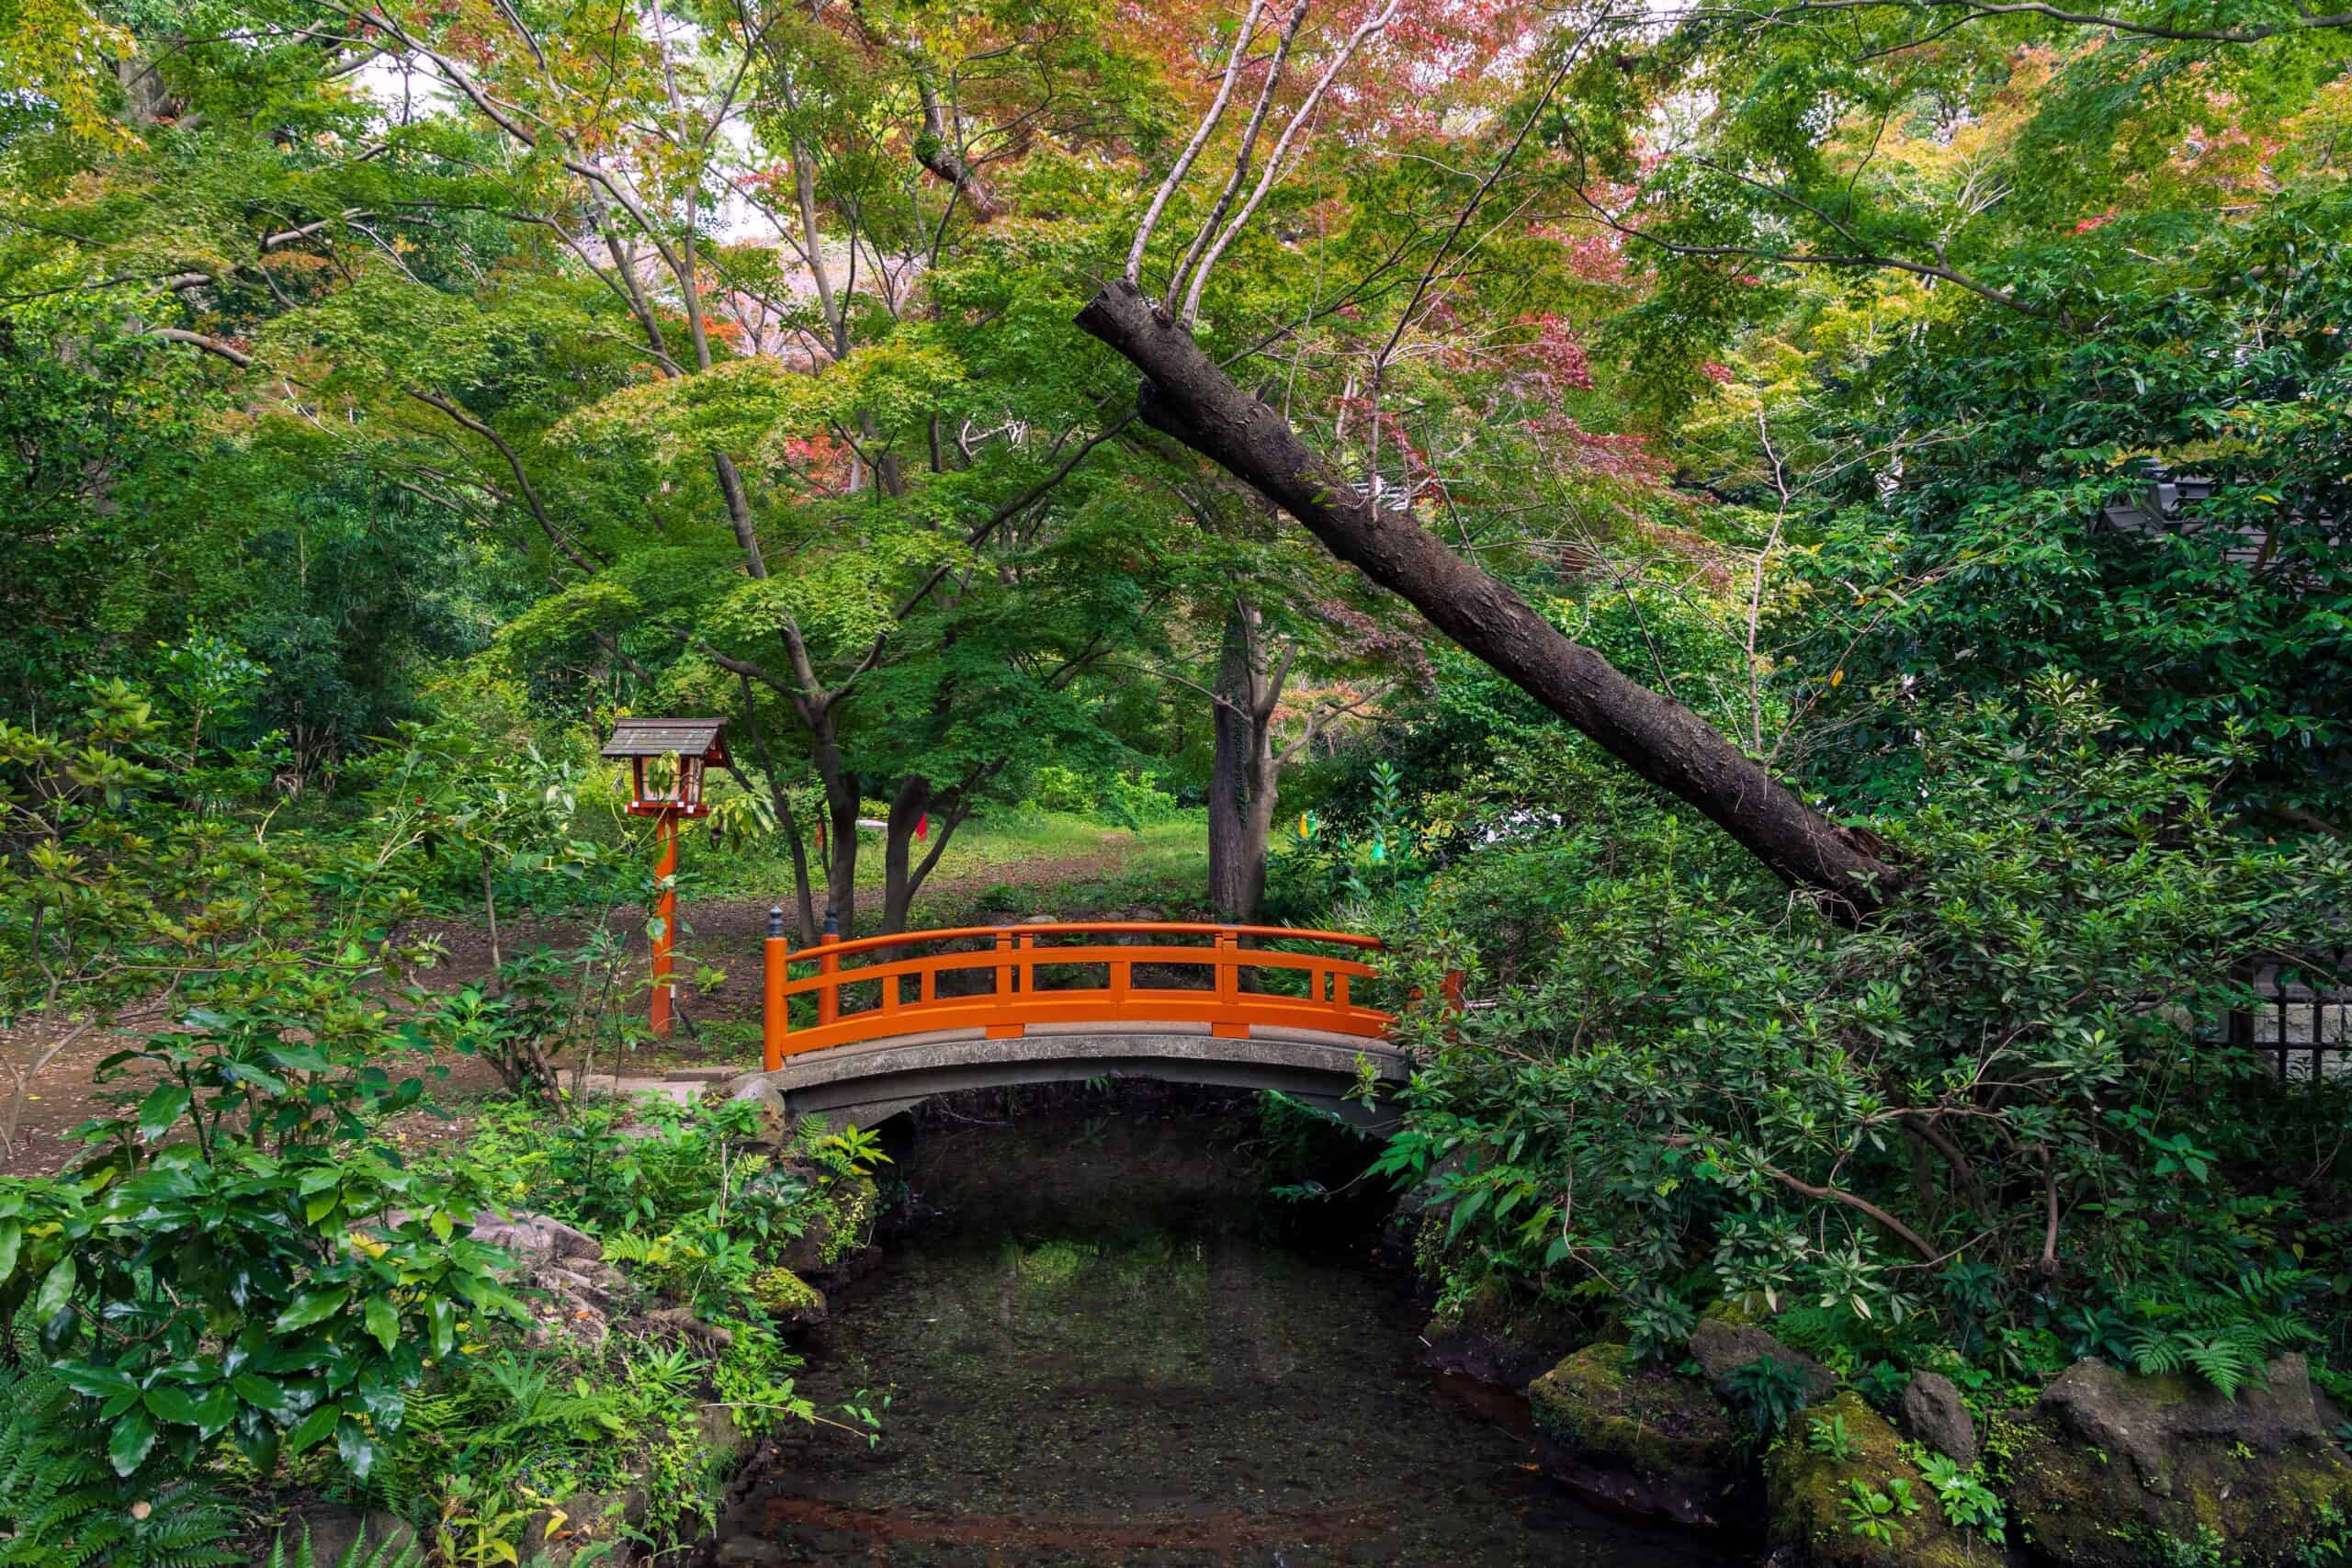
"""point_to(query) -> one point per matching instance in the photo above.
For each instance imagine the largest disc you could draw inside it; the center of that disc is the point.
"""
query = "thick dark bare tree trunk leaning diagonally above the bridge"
(1187, 396)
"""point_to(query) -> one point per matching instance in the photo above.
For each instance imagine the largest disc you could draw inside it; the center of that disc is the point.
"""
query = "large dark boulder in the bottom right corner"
(2113, 1468)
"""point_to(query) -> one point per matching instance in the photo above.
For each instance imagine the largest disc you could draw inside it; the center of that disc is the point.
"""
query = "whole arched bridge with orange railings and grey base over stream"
(874, 1026)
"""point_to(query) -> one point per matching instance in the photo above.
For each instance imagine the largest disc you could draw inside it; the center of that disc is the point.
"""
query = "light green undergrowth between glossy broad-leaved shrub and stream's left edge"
(615, 1414)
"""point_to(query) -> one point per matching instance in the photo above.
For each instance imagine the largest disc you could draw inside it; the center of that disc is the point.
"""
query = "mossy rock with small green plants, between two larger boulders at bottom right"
(1808, 1496)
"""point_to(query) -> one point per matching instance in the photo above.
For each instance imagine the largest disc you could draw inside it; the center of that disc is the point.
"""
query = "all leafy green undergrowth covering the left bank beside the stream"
(234, 1332)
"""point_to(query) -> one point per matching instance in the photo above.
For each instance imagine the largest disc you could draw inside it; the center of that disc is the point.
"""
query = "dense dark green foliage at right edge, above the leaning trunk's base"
(2212, 631)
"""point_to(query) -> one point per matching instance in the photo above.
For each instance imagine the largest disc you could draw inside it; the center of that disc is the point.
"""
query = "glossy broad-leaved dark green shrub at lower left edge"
(243, 1252)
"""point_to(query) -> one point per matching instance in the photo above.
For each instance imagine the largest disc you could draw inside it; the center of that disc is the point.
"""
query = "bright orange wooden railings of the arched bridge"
(1015, 1003)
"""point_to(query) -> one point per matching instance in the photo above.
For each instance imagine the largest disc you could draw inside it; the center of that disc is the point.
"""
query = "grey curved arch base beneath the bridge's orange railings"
(876, 1080)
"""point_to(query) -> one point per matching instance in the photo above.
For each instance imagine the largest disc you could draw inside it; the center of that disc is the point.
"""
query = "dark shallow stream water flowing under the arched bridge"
(1102, 1351)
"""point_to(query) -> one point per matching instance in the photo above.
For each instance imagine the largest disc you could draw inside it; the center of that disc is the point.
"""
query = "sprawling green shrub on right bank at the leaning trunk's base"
(1986, 1118)
